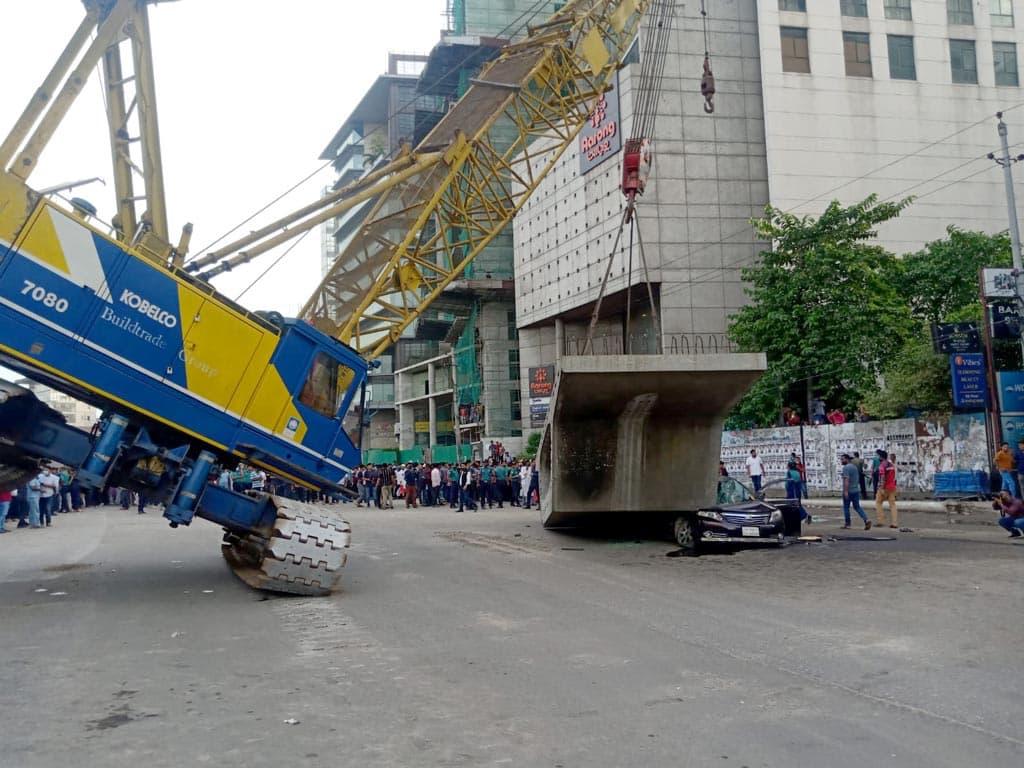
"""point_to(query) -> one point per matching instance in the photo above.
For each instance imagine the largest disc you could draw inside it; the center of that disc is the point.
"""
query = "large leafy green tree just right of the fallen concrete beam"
(824, 309)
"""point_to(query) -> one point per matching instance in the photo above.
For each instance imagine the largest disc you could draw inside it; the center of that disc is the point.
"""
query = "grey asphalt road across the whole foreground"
(480, 639)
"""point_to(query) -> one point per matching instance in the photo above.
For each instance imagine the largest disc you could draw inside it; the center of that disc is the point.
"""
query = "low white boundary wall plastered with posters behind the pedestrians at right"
(922, 447)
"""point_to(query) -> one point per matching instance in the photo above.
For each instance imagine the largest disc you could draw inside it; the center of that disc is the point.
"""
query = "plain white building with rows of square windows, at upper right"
(895, 98)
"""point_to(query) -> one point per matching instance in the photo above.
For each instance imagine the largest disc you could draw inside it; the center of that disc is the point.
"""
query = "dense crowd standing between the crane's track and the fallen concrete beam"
(461, 486)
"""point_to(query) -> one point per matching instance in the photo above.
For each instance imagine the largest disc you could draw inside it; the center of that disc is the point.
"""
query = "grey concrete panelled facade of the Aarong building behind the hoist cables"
(709, 179)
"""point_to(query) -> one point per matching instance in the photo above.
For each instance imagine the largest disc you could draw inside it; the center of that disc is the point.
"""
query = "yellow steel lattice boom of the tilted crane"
(472, 175)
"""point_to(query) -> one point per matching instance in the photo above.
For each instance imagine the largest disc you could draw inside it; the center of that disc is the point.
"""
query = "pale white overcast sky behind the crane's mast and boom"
(249, 95)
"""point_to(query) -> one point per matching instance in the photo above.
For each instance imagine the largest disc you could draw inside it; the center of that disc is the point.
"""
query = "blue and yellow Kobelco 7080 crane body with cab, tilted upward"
(188, 381)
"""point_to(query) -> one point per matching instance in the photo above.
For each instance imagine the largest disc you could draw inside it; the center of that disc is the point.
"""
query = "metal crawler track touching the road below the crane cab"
(305, 556)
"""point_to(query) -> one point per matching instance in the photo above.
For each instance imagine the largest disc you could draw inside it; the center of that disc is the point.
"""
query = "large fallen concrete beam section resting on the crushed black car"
(637, 435)
